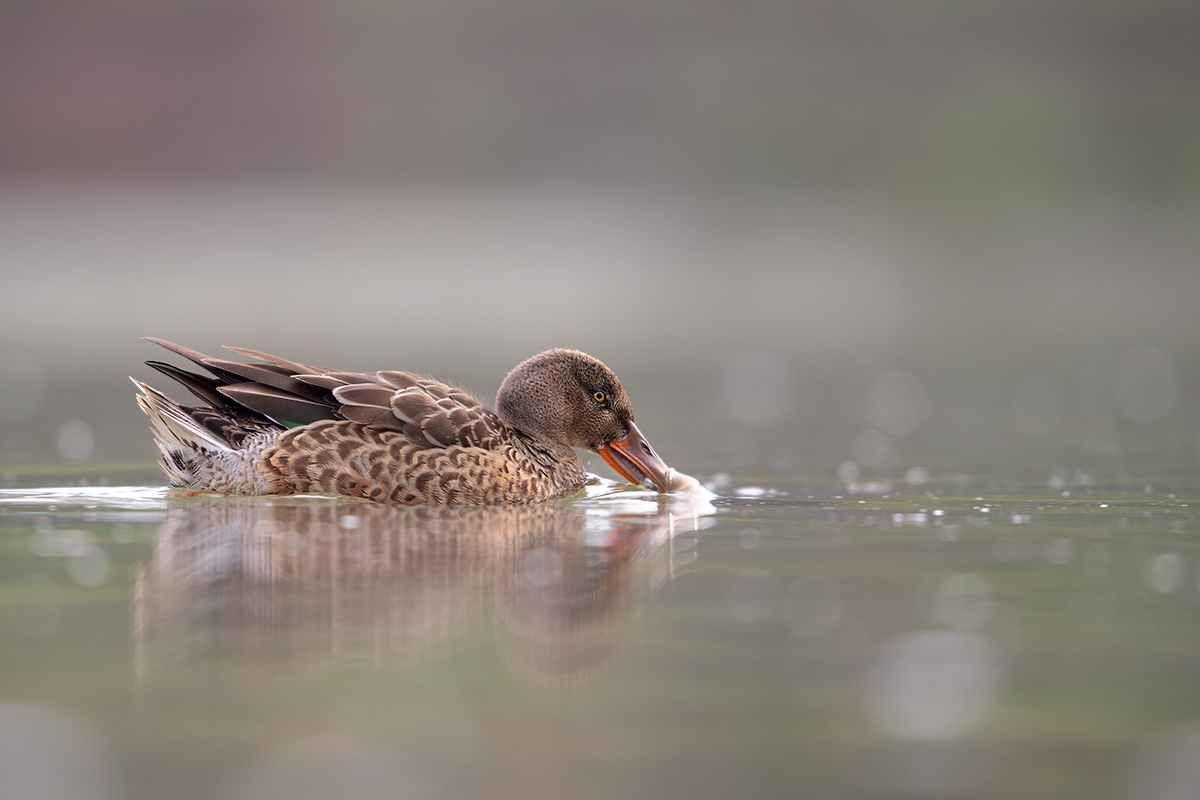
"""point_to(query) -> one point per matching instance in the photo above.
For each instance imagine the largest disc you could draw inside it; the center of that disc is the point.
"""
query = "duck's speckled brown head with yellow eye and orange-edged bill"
(572, 399)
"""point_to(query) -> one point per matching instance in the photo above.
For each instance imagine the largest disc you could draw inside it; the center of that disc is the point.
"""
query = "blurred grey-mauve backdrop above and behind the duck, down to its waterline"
(839, 240)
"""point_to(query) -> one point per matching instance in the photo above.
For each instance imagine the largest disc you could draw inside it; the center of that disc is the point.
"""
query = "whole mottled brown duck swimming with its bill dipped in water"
(273, 426)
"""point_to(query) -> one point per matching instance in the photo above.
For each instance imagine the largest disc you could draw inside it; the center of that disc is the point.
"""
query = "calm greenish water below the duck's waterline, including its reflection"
(787, 640)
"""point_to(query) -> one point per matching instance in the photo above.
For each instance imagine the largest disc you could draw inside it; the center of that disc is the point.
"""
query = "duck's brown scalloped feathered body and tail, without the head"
(391, 437)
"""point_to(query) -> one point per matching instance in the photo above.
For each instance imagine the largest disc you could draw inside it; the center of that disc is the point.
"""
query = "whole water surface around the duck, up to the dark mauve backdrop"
(952, 552)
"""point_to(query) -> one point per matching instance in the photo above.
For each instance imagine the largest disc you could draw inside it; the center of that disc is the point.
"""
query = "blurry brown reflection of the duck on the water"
(269, 581)
